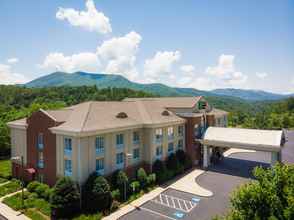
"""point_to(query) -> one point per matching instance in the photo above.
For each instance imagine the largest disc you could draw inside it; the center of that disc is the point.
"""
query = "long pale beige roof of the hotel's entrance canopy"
(253, 139)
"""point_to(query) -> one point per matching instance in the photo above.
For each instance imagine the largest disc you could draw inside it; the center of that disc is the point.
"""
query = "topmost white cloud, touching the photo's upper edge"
(91, 19)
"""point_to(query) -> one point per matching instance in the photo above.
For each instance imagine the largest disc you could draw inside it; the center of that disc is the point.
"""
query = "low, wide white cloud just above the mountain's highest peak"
(82, 61)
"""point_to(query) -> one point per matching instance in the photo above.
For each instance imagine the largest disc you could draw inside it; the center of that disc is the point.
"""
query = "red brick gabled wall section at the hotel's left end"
(39, 122)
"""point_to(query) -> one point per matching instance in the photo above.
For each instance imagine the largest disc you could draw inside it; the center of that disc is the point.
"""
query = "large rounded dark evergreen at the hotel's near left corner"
(65, 198)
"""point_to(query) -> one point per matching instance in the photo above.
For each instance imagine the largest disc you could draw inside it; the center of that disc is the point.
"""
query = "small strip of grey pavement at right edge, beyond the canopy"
(288, 149)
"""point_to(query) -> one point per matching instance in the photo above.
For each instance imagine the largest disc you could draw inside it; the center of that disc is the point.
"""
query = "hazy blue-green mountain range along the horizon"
(112, 80)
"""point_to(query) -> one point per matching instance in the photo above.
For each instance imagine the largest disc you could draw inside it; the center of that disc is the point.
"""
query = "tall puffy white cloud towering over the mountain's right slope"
(118, 54)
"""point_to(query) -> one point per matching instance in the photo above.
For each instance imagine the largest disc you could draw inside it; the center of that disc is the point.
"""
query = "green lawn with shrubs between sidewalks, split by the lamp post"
(35, 208)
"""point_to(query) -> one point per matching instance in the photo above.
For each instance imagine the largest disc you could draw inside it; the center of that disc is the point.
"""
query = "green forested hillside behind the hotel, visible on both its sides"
(18, 102)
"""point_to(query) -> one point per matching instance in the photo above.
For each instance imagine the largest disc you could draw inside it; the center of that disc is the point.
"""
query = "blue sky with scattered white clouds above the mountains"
(197, 44)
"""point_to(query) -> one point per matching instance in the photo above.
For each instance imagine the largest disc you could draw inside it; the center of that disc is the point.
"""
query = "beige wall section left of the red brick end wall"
(19, 143)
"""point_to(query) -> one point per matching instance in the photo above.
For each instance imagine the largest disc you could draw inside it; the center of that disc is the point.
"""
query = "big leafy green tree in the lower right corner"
(271, 196)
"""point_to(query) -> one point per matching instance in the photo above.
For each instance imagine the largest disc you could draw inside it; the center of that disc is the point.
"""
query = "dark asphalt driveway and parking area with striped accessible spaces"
(221, 179)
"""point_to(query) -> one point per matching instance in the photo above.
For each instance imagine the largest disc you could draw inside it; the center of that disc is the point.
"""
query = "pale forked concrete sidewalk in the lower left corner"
(8, 212)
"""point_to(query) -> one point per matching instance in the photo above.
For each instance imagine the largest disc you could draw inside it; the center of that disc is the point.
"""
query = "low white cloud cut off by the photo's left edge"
(7, 76)
